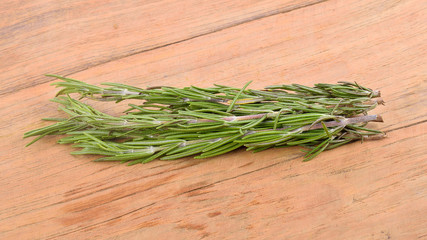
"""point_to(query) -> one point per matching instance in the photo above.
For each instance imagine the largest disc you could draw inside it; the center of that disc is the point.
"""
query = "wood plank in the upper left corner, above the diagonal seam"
(47, 36)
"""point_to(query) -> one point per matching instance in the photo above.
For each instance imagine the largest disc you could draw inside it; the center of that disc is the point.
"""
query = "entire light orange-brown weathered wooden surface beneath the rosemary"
(374, 190)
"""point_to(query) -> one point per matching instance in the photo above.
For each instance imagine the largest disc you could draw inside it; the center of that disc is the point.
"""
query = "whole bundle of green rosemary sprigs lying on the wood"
(170, 123)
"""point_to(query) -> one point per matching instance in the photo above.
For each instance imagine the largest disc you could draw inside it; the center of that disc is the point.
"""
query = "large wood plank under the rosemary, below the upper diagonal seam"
(376, 189)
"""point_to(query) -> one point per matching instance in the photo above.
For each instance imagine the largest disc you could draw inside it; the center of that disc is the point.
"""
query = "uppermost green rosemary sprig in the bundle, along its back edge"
(344, 98)
